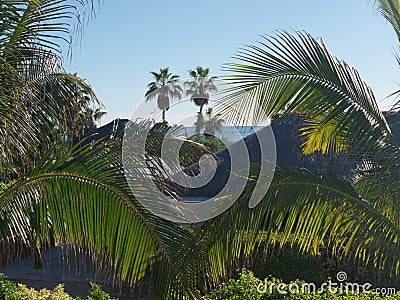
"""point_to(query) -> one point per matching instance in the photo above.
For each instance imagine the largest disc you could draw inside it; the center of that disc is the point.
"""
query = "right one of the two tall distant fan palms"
(200, 87)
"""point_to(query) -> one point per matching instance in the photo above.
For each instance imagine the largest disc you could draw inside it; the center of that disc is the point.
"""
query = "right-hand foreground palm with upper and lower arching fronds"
(357, 216)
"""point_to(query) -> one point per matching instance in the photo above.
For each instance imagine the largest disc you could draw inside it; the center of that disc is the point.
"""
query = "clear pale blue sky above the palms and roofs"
(130, 38)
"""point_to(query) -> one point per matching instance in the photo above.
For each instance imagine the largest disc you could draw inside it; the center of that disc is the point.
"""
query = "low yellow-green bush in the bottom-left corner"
(10, 291)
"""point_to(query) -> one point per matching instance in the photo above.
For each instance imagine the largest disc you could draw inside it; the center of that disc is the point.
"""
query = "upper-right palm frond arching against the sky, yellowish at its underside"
(296, 74)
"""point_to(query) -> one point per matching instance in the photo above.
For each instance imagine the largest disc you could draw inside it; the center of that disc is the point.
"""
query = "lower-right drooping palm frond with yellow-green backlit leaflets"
(307, 209)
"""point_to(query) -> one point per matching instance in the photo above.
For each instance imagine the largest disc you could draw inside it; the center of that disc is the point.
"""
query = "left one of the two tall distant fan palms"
(164, 87)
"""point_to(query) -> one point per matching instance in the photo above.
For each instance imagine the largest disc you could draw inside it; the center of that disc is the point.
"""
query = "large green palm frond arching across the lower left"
(81, 197)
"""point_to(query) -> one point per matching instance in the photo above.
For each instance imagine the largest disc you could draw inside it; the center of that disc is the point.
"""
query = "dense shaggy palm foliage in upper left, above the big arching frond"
(39, 101)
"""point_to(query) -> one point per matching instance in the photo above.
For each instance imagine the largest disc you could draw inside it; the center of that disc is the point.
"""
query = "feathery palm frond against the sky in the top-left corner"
(41, 24)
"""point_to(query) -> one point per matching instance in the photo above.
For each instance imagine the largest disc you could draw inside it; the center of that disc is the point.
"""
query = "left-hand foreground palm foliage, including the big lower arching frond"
(73, 195)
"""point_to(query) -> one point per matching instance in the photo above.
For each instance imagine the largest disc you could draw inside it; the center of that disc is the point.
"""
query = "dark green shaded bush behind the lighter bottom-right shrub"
(289, 262)
